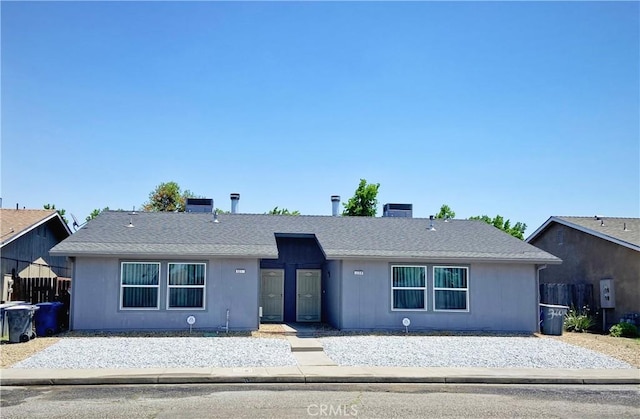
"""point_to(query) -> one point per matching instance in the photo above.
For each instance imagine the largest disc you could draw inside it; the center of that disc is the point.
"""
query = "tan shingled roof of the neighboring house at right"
(619, 230)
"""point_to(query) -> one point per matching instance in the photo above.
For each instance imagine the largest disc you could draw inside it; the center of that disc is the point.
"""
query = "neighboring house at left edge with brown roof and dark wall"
(26, 236)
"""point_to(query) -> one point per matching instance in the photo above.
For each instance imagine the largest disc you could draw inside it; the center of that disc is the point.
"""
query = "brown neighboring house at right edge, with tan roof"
(594, 249)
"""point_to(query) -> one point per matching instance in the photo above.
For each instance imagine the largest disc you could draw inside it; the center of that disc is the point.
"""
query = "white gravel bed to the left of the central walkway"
(171, 352)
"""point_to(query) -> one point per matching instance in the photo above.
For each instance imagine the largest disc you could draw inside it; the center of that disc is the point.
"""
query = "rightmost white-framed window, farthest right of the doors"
(450, 288)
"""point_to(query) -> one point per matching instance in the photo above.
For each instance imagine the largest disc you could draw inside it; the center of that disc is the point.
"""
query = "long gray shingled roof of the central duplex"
(161, 234)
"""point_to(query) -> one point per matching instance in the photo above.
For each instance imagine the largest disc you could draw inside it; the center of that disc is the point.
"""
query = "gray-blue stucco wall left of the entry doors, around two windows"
(96, 297)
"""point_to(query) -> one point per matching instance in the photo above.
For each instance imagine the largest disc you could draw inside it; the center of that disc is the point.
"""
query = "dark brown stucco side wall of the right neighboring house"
(588, 259)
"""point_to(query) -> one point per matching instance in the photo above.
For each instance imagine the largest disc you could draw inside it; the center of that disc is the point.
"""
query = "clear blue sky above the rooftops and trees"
(521, 109)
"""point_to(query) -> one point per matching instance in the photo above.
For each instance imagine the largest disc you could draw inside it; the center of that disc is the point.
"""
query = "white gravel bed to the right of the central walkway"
(463, 351)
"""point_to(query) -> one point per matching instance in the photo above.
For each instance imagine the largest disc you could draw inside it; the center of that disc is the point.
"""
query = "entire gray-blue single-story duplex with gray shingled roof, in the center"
(232, 271)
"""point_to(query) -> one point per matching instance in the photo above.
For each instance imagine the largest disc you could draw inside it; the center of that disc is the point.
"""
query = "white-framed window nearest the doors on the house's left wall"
(186, 285)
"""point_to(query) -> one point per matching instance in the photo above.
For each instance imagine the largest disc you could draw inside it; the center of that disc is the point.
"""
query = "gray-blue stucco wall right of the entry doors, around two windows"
(502, 297)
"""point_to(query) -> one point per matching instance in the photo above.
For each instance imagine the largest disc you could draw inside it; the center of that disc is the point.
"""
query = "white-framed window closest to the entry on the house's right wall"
(408, 287)
